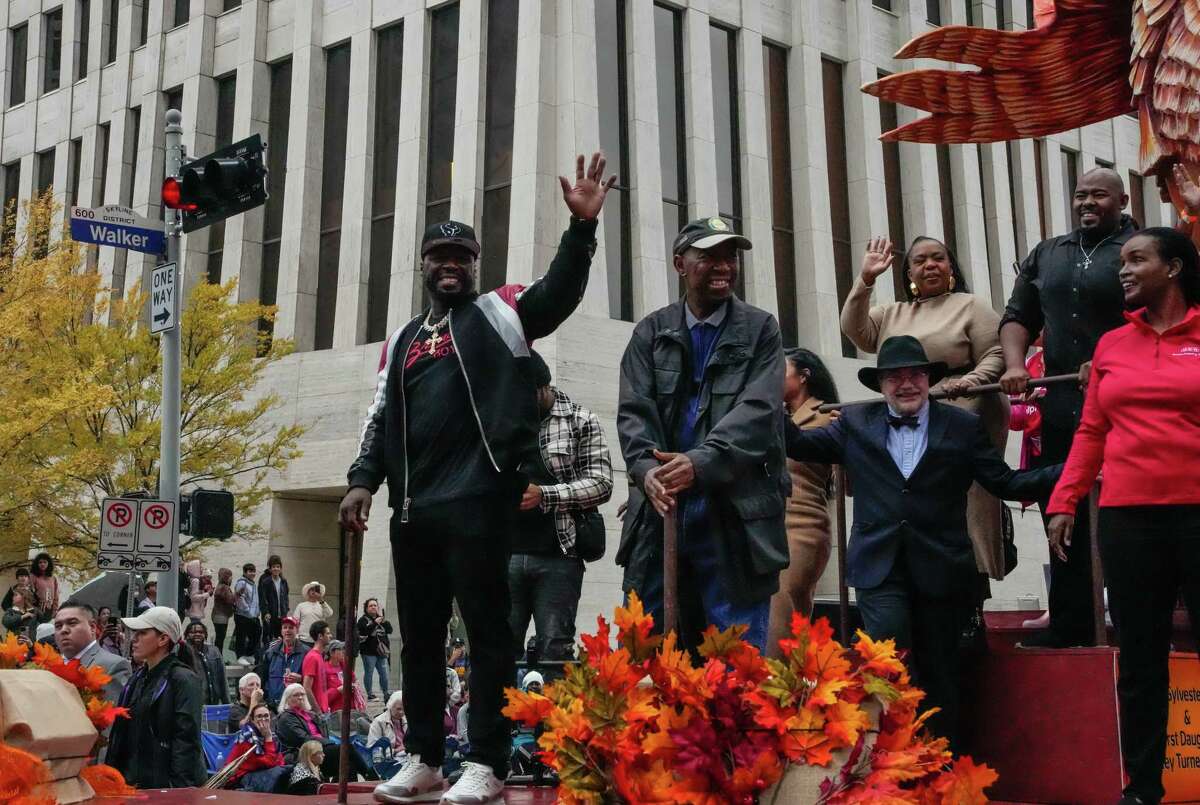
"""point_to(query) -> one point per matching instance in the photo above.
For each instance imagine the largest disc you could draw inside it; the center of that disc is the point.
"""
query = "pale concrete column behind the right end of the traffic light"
(243, 257)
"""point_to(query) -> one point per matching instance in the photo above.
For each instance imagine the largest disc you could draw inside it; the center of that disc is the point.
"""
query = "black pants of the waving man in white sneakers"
(459, 552)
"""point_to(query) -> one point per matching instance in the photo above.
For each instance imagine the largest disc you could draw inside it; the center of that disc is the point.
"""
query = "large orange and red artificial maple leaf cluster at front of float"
(645, 724)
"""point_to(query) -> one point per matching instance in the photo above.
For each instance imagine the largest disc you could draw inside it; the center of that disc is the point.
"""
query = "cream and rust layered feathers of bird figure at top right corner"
(1165, 74)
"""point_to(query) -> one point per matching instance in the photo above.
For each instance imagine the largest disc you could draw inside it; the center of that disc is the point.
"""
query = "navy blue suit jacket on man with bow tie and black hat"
(926, 514)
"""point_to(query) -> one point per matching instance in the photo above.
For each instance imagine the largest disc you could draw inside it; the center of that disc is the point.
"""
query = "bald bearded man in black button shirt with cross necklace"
(1069, 291)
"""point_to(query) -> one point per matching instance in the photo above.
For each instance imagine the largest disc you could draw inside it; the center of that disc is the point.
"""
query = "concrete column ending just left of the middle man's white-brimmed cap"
(653, 279)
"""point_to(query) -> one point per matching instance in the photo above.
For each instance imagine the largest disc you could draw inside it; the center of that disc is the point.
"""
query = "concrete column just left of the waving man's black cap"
(404, 290)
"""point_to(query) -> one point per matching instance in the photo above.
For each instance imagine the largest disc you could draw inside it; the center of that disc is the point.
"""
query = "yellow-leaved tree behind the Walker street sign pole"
(81, 395)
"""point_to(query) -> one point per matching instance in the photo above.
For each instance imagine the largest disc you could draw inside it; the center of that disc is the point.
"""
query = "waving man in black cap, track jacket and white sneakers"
(454, 416)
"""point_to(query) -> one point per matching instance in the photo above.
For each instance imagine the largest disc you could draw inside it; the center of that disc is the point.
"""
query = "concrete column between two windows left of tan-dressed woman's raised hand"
(817, 292)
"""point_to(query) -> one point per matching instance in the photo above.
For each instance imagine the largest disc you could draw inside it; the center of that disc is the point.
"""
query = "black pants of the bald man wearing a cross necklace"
(1071, 582)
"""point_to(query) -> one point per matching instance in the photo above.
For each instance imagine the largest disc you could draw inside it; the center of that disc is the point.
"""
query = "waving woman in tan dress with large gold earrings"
(955, 327)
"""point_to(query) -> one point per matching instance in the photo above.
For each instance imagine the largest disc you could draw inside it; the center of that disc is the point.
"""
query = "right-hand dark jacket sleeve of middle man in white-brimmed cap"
(746, 436)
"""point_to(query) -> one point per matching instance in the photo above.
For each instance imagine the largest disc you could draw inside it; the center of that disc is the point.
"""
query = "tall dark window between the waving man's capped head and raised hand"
(501, 100)
